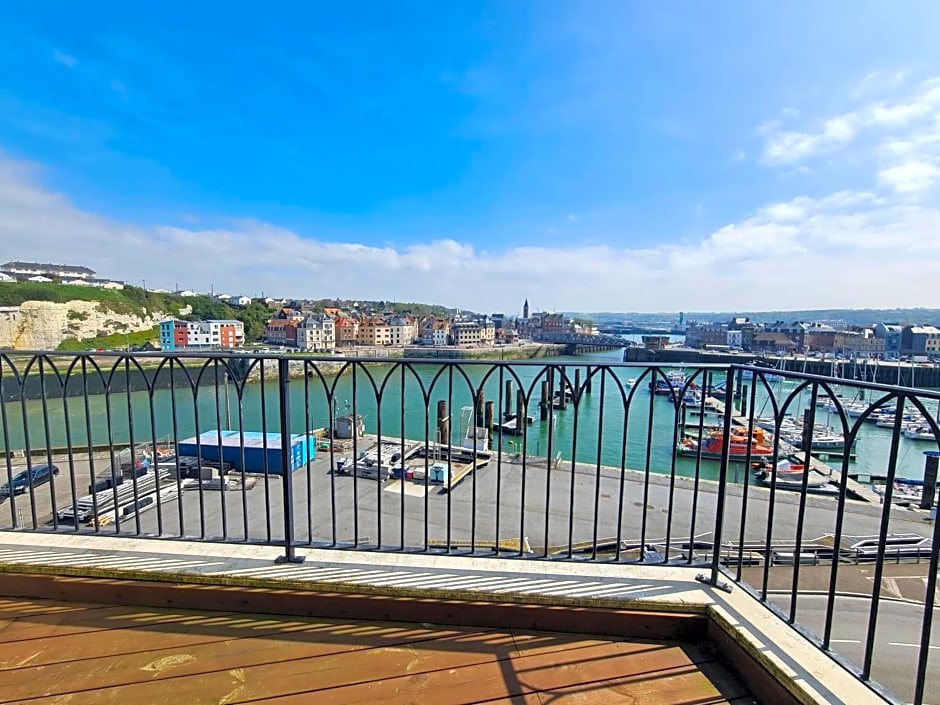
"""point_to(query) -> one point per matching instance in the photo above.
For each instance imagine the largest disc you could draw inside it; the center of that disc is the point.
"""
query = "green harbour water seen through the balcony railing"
(601, 420)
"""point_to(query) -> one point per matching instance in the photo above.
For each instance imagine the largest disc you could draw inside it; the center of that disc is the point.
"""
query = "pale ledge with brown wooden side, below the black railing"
(656, 602)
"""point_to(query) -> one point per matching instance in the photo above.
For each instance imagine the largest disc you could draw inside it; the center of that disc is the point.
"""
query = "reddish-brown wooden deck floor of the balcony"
(70, 652)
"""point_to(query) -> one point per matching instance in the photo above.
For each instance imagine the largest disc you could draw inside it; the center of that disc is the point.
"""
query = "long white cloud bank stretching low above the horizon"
(804, 253)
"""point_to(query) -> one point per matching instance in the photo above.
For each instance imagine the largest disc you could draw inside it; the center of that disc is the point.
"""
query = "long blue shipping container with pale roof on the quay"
(261, 451)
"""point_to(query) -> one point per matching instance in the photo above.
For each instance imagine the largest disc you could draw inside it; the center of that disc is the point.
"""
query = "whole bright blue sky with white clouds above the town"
(589, 156)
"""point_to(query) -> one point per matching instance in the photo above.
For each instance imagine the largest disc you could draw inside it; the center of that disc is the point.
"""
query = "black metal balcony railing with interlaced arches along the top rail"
(759, 477)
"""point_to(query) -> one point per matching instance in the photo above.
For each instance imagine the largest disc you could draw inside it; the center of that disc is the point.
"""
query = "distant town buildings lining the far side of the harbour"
(331, 325)
